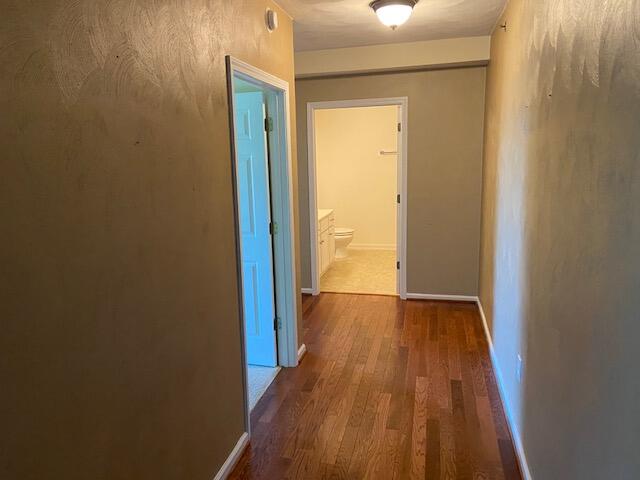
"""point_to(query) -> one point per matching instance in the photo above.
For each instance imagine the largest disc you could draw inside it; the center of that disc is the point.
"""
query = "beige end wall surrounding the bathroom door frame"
(446, 109)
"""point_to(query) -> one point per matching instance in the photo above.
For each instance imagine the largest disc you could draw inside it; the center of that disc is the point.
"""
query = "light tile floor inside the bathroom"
(363, 271)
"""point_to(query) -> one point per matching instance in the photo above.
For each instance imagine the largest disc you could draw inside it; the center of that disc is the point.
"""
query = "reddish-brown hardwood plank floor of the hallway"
(389, 389)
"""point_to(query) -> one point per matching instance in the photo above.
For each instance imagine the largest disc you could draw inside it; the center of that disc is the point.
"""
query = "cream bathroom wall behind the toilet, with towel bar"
(352, 177)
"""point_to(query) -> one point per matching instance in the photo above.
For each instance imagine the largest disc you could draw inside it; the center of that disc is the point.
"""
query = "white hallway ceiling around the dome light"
(323, 24)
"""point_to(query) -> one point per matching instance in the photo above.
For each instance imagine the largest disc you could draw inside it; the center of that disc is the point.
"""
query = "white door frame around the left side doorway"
(284, 264)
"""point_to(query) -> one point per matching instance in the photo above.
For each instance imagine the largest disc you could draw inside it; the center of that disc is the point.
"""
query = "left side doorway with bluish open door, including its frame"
(261, 165)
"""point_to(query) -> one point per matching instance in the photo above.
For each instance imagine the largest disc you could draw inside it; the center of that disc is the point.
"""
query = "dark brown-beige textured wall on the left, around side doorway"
(120, 332)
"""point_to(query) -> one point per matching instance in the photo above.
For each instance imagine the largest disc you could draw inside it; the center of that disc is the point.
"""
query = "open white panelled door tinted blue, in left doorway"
(255, 217)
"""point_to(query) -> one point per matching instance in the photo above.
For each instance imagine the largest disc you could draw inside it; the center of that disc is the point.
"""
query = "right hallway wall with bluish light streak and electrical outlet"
(560, 268)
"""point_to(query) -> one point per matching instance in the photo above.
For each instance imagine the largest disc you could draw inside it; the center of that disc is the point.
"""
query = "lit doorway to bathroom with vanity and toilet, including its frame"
(357, 181)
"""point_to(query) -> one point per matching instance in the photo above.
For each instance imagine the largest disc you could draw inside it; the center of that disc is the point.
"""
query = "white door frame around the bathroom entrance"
(401, 229)
